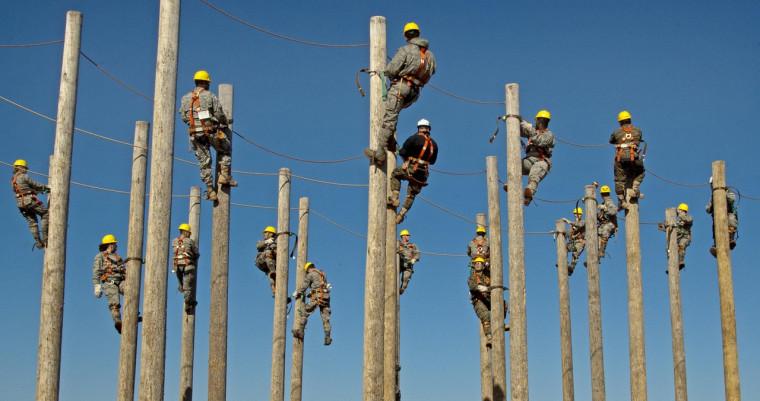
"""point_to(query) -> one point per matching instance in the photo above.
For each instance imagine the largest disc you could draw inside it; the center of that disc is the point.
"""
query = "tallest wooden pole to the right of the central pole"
(518, 336)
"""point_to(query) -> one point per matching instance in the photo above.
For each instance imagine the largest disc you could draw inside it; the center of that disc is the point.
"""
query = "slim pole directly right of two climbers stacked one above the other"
(498, 348)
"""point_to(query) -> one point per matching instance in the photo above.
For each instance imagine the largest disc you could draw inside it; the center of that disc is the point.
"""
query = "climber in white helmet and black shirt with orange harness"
(419, 152)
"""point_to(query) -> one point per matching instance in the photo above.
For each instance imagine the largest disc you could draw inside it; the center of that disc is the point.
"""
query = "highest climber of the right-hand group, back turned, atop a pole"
(629, 160)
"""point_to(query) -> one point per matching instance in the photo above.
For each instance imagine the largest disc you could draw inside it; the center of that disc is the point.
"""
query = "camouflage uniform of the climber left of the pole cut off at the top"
(109, 272)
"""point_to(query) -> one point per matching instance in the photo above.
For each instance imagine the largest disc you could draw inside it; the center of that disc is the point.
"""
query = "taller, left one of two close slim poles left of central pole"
(281, 288)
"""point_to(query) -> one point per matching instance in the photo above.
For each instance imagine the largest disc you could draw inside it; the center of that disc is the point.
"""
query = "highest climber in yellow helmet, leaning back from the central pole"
(409, 70)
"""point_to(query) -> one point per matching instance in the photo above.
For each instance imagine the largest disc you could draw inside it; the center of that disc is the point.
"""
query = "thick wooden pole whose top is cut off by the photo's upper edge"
(153, 351)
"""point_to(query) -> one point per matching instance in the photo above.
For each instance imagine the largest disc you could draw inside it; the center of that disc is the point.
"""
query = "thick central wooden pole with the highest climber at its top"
(374, 280)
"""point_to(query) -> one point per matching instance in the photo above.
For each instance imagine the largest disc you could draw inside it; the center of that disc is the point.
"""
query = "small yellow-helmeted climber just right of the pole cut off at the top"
(185, 265)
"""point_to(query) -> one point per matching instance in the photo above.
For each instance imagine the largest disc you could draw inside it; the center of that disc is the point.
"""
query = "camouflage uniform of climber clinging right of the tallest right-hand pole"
(538, 153)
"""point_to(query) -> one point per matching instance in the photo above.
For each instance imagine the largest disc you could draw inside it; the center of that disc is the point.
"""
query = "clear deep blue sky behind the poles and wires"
(687, 71)
